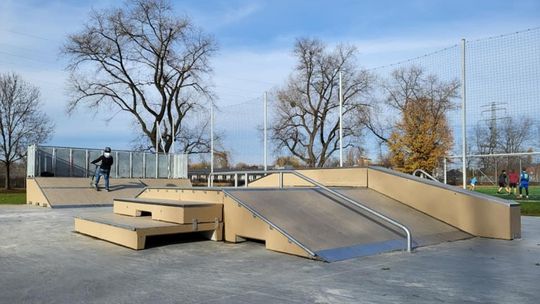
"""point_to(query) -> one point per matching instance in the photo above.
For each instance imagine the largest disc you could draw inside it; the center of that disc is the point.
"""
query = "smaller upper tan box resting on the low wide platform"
(174, 211)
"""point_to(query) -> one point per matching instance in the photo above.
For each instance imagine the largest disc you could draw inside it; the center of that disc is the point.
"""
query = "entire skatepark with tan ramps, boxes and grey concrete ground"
(337, 235)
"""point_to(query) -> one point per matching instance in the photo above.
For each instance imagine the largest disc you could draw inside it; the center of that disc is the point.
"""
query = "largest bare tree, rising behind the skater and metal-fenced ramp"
(144, 60)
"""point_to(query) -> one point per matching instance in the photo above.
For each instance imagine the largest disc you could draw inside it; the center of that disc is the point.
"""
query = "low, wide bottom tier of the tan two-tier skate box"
(131, 231)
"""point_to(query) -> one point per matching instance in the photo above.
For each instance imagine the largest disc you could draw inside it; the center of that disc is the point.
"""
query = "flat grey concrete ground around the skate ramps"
(43, 261)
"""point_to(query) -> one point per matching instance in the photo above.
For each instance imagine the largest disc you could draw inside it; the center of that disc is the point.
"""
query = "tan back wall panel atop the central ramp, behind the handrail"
(341, 177)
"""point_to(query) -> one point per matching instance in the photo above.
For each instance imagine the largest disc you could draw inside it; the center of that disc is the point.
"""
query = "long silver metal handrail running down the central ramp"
(281, 173)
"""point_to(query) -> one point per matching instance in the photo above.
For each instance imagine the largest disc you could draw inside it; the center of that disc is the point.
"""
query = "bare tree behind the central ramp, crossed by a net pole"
(307, 123)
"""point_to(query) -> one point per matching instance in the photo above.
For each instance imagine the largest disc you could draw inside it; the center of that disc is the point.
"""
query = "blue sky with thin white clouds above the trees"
(255, 40)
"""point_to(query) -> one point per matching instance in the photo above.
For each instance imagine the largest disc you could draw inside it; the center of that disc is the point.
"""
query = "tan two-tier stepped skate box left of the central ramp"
(134, 219)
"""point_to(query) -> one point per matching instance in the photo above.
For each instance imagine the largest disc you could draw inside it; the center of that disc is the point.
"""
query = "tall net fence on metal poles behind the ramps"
(502, 87)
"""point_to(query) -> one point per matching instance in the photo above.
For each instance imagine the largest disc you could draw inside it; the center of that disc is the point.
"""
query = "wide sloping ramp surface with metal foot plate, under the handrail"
(333, 229)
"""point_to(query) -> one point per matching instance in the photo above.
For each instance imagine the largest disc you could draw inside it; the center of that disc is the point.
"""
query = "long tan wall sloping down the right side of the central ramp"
(477, 214)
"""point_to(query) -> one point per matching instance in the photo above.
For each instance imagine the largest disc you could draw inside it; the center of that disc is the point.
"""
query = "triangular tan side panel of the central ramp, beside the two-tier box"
(240, 223)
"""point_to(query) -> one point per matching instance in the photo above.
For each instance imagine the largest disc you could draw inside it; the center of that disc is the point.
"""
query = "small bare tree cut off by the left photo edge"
(21, 120)
